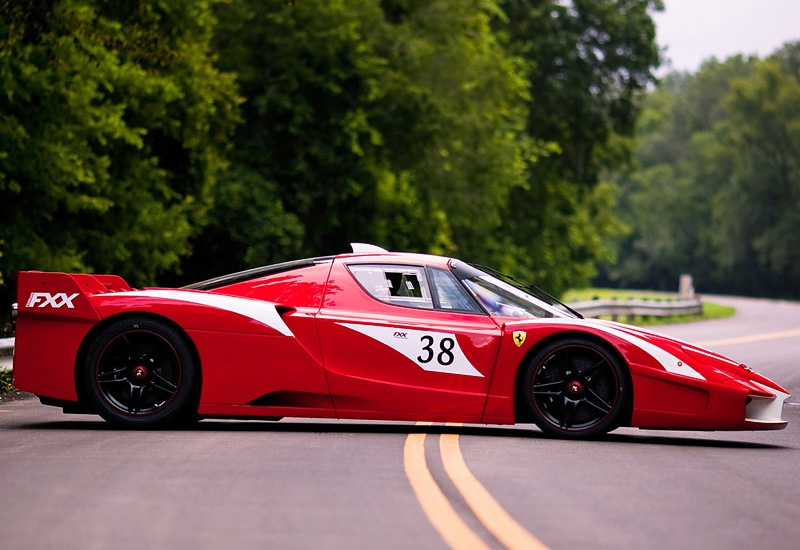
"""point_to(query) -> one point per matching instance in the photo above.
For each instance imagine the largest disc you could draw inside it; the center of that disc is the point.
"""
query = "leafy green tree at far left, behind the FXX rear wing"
(113, 128)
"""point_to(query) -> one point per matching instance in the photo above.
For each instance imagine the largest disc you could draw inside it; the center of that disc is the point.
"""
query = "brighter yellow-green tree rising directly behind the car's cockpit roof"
(463, 98)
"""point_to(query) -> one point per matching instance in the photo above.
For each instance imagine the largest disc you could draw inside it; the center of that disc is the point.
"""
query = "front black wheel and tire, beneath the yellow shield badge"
(576, 388)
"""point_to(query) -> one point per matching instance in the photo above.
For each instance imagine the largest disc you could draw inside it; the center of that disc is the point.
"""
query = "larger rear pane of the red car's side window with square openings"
(399, 285)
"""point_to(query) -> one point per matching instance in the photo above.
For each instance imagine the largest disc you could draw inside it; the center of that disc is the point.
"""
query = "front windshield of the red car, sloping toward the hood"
(501, 298)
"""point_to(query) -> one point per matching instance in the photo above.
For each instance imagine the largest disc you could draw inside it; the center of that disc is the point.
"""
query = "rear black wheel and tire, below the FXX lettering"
(140, 373)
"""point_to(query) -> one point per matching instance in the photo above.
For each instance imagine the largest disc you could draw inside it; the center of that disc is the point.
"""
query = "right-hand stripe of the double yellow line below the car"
(510, 533)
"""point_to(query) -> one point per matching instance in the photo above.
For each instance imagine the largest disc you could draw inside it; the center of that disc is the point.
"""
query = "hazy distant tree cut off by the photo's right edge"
(758, 212)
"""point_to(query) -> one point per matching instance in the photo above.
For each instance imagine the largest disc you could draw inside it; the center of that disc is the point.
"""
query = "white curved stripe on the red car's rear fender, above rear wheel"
(263, 312)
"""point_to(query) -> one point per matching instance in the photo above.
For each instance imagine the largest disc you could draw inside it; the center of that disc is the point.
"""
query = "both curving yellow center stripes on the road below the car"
(453, 529)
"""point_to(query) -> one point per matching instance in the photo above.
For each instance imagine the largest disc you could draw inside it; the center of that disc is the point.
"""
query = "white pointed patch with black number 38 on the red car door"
(432, 351)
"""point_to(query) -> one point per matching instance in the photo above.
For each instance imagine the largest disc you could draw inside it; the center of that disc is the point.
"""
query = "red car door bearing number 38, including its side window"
(405, 342)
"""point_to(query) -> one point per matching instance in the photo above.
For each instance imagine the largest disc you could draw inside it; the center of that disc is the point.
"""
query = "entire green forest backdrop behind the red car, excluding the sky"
(173, 140)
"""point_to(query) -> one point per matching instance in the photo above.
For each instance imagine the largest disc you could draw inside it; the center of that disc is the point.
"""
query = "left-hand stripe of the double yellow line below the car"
(440, 512)
